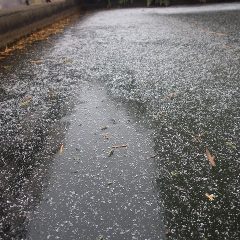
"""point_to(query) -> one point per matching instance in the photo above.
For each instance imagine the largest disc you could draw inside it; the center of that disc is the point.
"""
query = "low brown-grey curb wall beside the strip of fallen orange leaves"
(21, 22)
